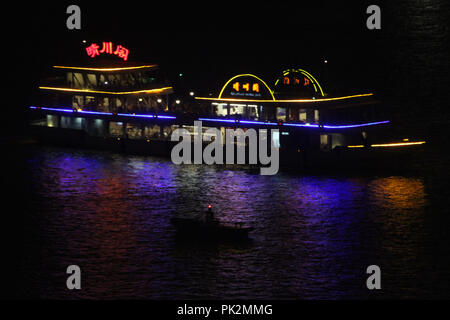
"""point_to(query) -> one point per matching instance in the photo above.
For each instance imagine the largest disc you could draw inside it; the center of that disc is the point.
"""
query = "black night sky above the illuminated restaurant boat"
(210, 42)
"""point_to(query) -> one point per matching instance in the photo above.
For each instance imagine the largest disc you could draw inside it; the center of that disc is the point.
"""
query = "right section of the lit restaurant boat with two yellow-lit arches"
(316, 130)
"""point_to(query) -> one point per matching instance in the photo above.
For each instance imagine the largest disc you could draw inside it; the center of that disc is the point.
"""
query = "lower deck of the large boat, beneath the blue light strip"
(298, 147)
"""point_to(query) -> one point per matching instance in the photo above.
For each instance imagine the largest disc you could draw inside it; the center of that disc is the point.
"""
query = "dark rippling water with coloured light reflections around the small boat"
(314, 236)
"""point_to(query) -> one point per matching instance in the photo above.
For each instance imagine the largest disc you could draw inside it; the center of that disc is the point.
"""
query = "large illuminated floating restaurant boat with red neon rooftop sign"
(125, 106)
